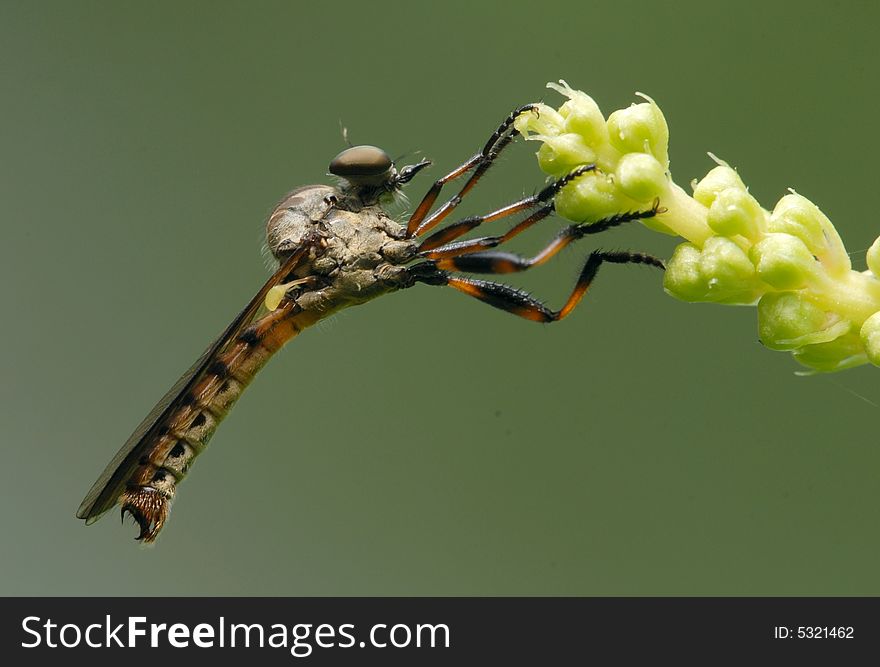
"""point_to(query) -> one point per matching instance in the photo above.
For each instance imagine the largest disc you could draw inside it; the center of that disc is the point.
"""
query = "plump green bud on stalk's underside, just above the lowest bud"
(789, 320)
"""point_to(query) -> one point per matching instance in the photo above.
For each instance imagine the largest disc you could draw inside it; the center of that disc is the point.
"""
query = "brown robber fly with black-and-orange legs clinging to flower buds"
(337, 247)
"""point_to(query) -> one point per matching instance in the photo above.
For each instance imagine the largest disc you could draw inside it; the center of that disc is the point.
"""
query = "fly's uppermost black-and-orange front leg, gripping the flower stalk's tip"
(420, 221)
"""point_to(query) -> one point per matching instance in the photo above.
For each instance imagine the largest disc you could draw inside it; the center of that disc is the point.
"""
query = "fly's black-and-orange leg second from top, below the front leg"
(462, 227)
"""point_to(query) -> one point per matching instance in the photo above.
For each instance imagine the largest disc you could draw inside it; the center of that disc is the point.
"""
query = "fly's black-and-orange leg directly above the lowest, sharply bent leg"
(471, 256)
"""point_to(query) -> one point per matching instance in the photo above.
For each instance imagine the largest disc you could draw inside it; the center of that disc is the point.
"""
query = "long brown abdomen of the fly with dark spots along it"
(187, 429)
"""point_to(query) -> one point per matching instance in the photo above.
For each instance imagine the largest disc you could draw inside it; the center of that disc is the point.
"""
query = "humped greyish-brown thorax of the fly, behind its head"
(362, 247)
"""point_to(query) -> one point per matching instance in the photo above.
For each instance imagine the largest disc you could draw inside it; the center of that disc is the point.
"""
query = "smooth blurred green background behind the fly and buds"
(425, 444)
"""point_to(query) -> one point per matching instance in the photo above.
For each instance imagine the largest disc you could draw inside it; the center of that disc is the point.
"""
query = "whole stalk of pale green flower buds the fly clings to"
(789, 261)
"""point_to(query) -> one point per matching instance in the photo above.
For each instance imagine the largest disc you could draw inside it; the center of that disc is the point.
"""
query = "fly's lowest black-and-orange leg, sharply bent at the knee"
(520, 303)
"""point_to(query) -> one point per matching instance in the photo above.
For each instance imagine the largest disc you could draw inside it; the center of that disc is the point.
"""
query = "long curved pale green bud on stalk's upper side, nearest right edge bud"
(799, 217)
